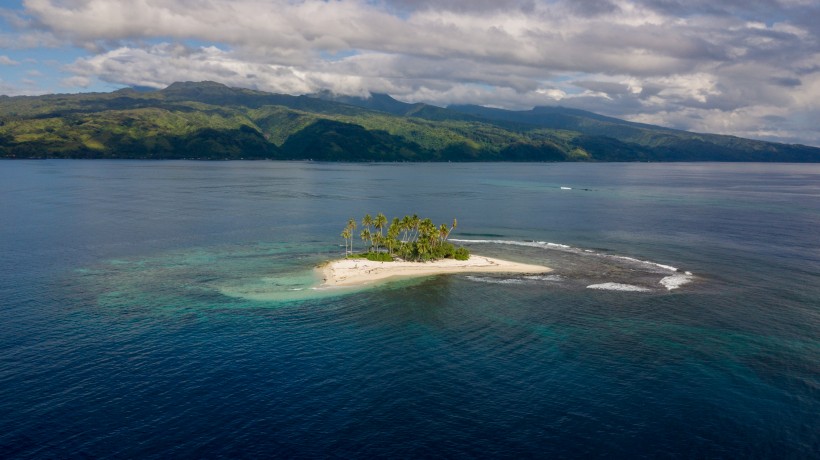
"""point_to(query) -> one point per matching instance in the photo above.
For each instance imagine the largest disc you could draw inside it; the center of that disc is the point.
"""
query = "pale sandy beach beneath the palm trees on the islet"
(355, 272)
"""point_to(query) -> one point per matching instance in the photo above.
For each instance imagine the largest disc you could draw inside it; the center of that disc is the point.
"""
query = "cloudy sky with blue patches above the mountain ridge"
(749, 68)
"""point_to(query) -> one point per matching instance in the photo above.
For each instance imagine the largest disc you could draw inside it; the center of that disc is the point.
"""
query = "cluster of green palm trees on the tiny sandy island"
(410, 238)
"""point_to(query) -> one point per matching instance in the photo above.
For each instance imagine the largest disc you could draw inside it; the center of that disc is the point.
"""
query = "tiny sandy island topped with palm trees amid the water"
(410, 247)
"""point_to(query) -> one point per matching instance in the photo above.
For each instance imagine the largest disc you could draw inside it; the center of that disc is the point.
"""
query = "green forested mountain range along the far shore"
(211, 121)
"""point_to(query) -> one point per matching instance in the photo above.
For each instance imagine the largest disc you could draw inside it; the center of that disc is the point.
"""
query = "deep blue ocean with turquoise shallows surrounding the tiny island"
(167, 310)
